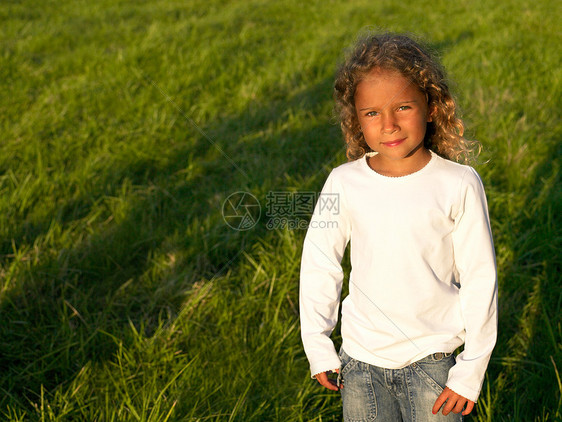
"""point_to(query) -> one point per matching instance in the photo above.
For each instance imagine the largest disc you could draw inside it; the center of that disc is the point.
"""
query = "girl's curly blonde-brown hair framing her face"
(444, 134)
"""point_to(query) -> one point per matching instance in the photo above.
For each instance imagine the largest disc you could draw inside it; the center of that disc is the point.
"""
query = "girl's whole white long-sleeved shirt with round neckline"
(423, 277)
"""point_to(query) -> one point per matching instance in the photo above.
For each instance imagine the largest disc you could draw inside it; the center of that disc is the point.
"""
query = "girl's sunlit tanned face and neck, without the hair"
(393, 114)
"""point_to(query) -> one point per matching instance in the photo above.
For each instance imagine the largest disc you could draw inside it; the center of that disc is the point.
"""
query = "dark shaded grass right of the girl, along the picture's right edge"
(528, 344)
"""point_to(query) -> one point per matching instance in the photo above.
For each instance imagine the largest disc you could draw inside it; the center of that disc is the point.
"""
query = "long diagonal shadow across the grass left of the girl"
(68, 307)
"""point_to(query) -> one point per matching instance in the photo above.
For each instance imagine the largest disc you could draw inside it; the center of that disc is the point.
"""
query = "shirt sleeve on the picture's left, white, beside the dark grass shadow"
(321, 276)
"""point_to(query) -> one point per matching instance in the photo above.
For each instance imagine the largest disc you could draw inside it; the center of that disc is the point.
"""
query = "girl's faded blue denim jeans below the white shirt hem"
(371, 393)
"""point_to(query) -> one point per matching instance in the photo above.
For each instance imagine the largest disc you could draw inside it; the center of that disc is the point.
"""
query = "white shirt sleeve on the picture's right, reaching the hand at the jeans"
(476, 269)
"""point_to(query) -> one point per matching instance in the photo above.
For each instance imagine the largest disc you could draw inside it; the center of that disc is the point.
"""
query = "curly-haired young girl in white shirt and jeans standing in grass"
(423, 279)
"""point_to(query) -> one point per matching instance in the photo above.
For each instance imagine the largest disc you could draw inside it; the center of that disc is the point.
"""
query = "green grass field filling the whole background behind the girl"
(125, 125)
